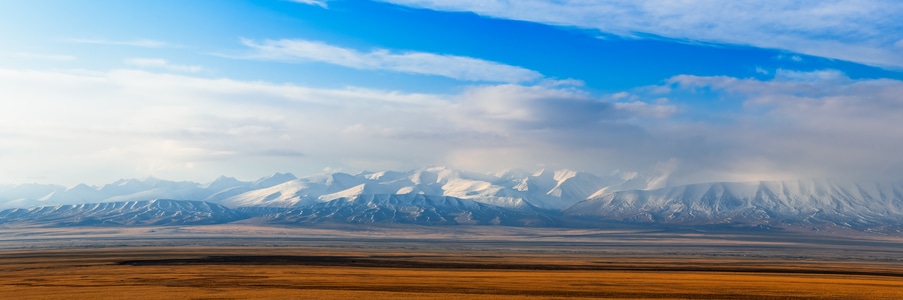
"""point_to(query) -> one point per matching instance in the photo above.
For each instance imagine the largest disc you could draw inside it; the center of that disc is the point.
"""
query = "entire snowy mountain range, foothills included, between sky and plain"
(442, 196)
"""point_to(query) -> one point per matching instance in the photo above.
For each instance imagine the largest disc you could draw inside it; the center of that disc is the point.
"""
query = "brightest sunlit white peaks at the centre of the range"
(513, 189)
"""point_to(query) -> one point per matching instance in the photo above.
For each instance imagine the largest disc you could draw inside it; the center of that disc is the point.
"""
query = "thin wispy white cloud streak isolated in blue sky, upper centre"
(456, 67)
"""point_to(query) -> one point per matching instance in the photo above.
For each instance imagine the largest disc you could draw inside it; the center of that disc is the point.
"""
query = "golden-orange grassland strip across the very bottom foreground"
(345, 272)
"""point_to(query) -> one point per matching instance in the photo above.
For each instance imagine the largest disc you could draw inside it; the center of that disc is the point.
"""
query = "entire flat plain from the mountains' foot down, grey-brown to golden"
(453, 262)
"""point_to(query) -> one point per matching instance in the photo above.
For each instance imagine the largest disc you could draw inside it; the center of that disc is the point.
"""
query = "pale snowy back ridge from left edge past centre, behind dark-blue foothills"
(545, 189)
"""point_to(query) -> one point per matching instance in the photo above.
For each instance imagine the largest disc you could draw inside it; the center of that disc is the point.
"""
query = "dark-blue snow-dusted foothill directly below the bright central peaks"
(409, 209)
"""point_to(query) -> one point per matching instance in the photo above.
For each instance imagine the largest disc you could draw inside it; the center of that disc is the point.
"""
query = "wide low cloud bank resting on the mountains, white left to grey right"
(67, 126)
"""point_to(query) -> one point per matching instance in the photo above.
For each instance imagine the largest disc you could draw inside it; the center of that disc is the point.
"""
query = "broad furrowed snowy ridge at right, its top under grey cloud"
(845, 204)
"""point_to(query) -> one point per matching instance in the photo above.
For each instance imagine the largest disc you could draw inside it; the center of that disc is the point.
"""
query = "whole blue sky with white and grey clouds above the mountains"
(704, 90)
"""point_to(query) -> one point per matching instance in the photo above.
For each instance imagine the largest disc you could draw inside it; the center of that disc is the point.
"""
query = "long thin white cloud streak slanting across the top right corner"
(859, 31)
